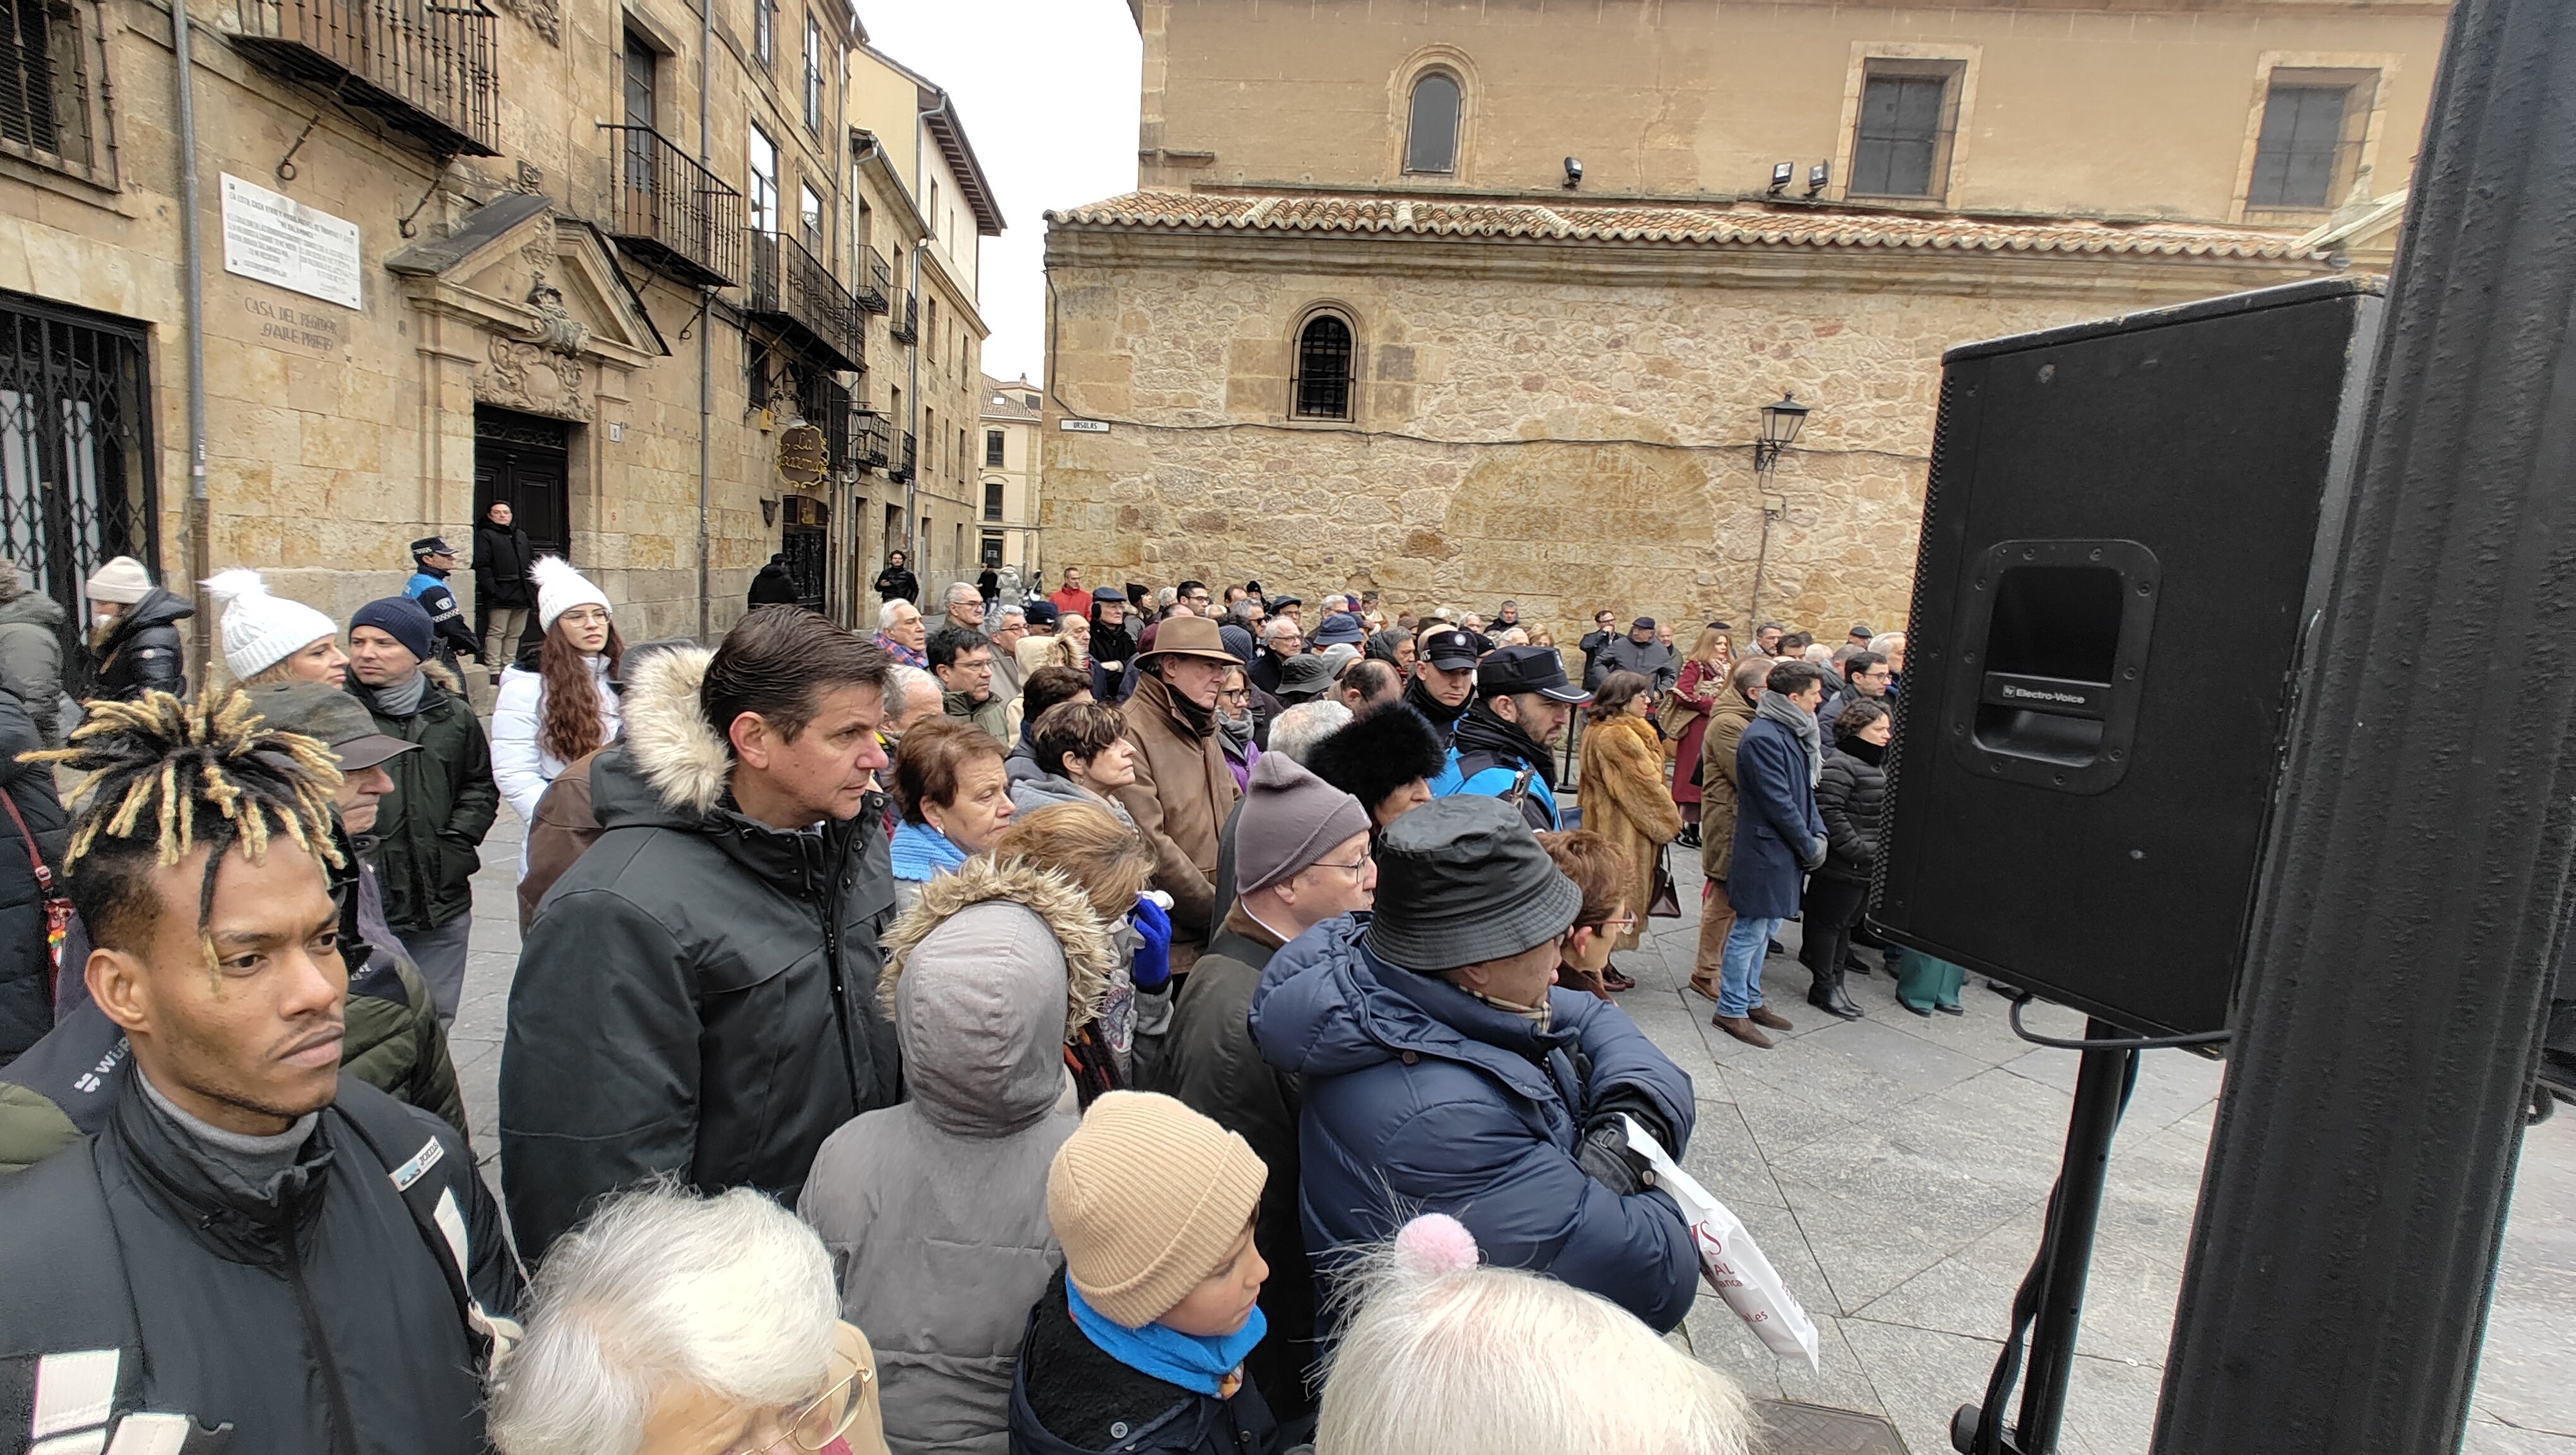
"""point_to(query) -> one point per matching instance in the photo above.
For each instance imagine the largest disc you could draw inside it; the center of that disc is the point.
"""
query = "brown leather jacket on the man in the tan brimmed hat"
(1181, 800)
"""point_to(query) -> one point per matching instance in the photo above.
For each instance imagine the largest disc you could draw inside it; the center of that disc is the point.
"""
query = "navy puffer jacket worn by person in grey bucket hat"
(1428, 1101)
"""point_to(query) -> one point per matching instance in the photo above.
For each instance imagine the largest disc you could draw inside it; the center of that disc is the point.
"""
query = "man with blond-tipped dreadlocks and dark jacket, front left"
(254, 1243)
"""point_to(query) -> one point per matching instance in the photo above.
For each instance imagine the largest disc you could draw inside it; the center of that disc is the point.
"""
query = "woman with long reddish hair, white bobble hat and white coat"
(563, 707)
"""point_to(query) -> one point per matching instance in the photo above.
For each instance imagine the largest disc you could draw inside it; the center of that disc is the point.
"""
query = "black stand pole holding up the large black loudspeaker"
(2052, 1297)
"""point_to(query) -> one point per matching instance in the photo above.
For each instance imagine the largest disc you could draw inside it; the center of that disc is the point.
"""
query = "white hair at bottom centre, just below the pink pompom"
(1503, 1361)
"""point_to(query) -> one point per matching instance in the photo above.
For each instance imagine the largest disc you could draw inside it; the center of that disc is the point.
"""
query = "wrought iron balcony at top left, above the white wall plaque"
(429, 68)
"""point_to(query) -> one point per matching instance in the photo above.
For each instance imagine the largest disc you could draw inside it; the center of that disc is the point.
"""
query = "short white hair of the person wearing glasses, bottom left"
(666, 1289)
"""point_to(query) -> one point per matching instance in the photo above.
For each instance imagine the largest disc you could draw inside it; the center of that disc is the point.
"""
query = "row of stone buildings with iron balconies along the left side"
(640, 269)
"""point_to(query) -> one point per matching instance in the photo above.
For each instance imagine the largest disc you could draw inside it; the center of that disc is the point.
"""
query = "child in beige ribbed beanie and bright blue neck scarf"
(1140, 1343)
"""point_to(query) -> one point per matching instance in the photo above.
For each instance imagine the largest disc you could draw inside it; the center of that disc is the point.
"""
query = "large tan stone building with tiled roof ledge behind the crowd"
(1475, 303)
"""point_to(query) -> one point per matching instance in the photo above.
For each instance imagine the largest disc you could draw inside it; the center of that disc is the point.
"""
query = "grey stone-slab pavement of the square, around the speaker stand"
(1895, 1170)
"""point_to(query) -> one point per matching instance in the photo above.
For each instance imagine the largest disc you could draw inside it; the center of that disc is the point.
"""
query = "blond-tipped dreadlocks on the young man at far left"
(169, 779)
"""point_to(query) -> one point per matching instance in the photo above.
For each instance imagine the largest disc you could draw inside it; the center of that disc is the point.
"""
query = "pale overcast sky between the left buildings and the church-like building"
(1047, 91)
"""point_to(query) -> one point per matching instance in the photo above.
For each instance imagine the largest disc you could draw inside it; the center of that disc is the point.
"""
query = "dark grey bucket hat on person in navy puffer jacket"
(1459, 882)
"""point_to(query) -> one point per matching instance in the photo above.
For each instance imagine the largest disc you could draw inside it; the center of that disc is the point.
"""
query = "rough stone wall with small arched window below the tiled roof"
(1573, 436)
